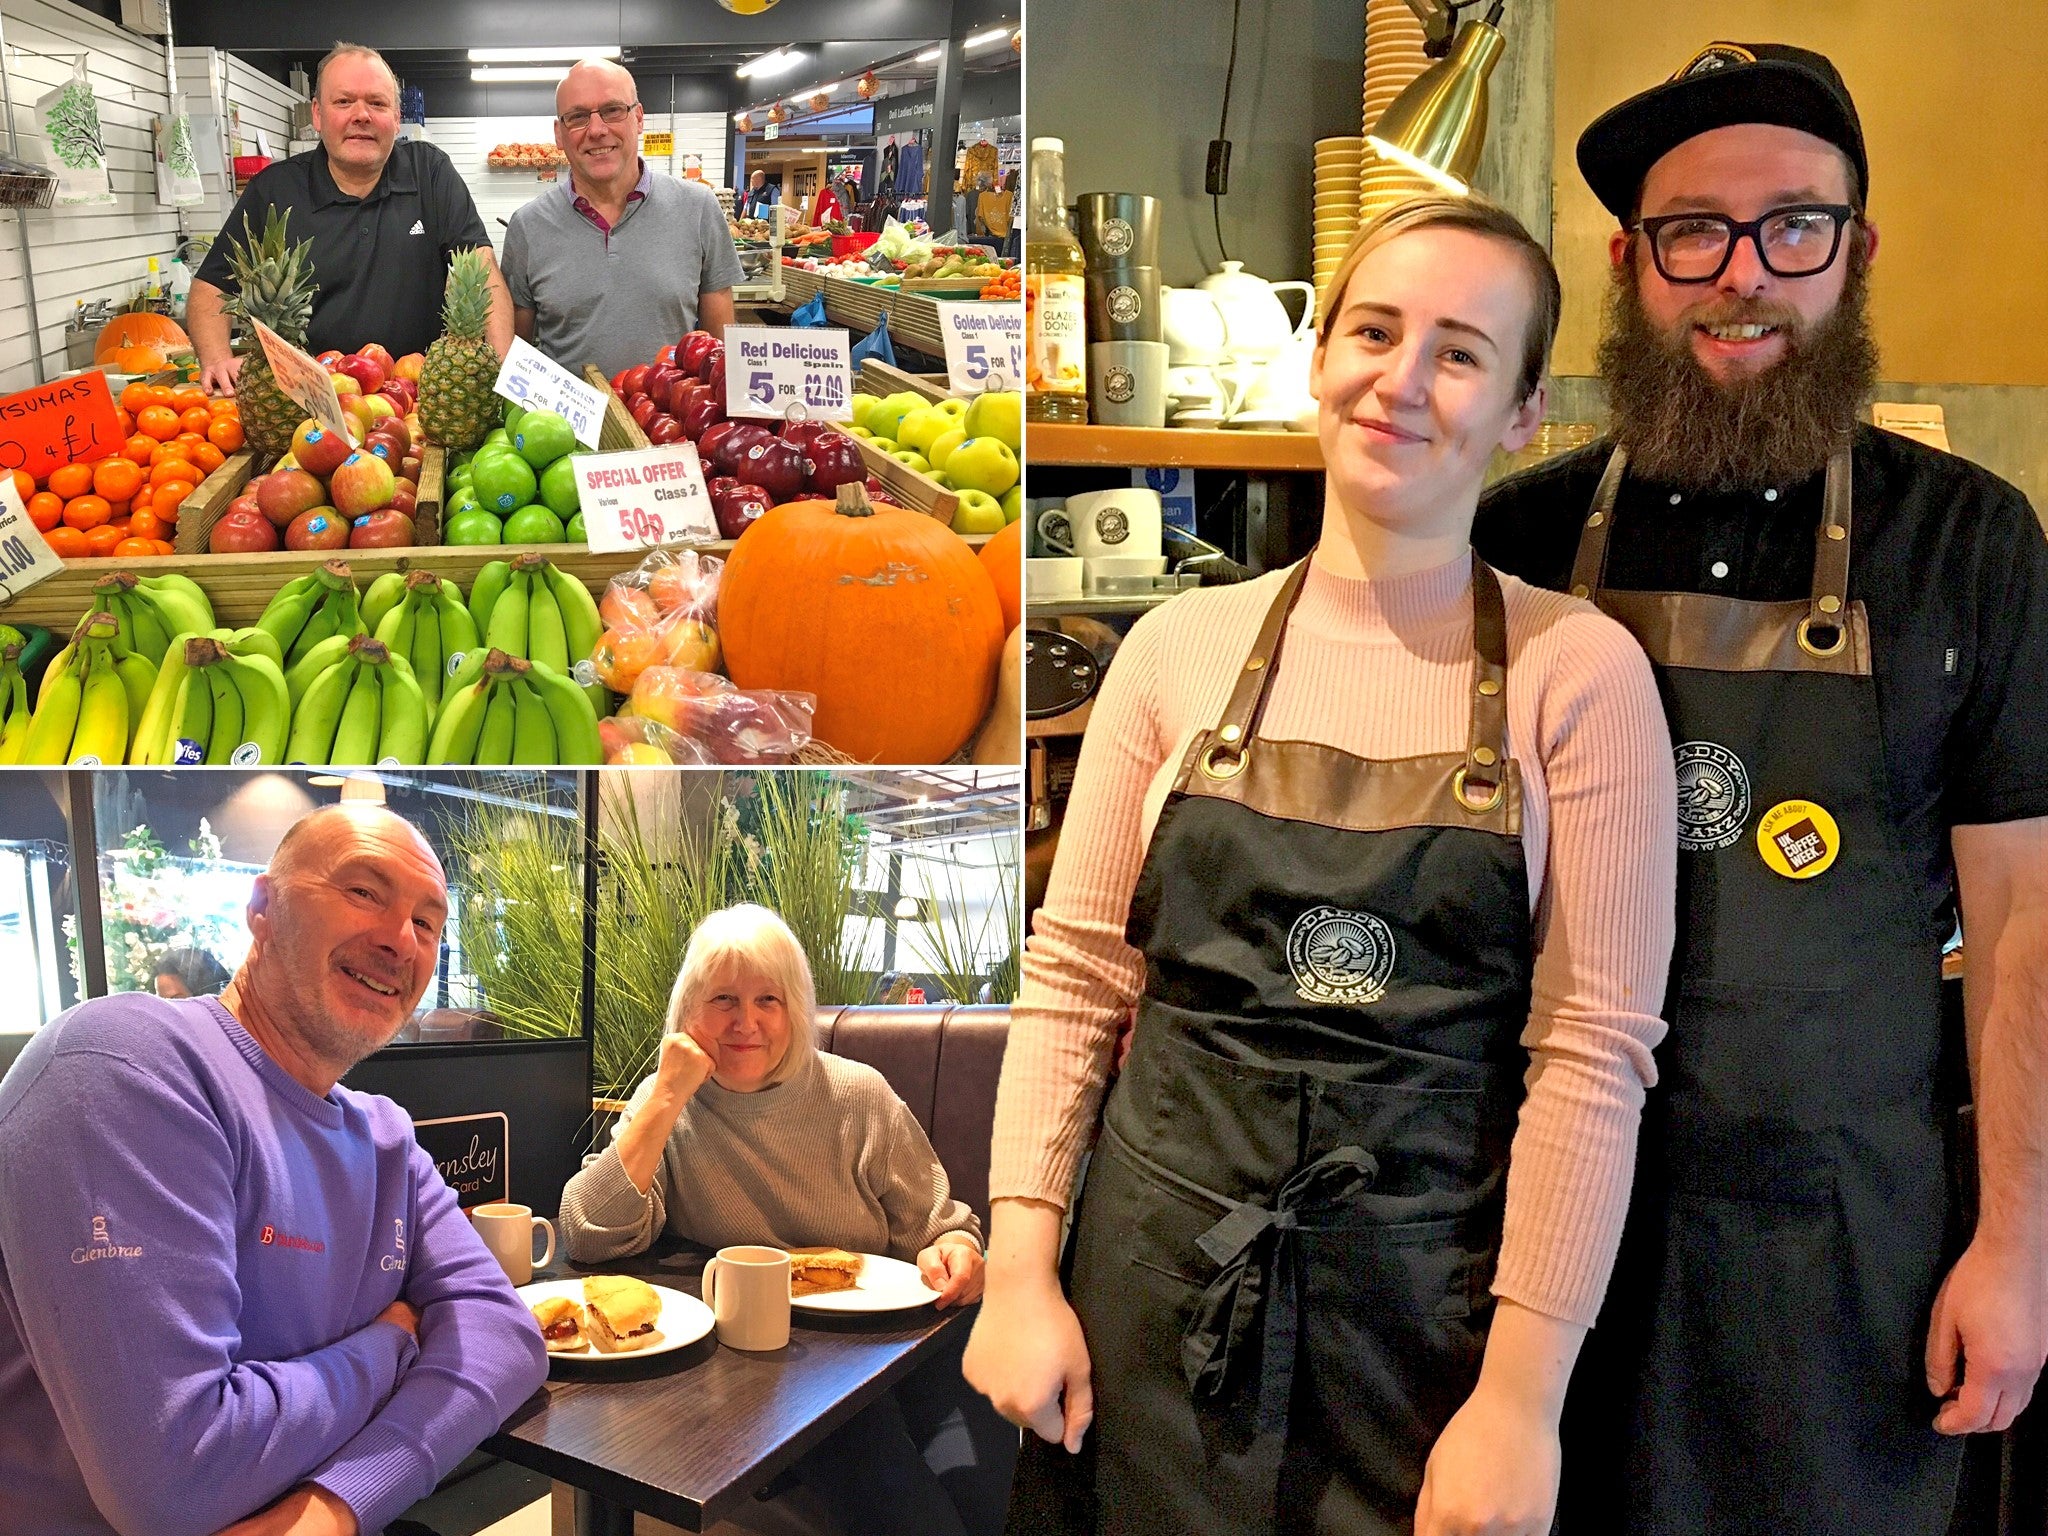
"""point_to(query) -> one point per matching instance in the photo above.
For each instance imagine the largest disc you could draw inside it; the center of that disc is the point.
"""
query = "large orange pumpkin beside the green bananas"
(886, 615)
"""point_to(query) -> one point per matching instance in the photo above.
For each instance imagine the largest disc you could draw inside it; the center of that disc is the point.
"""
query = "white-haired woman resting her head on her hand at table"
(749, 1134)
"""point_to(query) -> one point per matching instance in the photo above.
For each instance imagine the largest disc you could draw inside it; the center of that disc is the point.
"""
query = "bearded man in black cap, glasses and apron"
(1852, 638)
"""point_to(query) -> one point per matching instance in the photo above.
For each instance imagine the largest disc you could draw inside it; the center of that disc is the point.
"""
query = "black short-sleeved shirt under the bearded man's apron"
(1949, 560)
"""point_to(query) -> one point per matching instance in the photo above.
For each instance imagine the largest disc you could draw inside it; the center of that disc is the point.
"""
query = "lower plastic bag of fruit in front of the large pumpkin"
(703, 720)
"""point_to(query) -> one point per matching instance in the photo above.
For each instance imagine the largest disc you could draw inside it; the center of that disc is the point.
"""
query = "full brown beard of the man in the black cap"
(1691, 431)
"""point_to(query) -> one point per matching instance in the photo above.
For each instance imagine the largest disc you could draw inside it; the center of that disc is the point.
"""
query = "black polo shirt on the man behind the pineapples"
(382, 261)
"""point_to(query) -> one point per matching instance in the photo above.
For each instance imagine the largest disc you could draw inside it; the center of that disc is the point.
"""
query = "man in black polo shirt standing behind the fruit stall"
(384, 216)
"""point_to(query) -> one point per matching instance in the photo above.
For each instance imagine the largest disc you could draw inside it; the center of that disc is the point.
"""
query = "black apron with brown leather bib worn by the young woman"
(1287, 1236)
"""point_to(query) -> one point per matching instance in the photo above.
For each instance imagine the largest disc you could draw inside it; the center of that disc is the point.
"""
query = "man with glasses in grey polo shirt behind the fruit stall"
(617, 261)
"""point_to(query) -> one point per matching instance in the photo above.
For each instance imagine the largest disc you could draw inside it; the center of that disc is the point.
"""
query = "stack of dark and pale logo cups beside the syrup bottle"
(1125, 335)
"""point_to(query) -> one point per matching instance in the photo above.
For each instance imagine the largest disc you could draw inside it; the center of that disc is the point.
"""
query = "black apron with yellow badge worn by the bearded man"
(1758, 1363)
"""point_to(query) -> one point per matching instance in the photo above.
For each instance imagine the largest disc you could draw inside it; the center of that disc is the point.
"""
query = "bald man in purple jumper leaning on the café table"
(237, 1297)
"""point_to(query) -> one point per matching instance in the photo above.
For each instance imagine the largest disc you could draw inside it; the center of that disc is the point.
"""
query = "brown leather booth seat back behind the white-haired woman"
(943, 1062)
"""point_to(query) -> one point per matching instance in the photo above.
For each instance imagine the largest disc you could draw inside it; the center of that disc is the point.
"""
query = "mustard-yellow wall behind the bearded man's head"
(1955, 105)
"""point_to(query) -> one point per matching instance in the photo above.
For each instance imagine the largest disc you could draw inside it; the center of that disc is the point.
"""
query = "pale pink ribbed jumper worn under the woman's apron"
(1385, 671)
